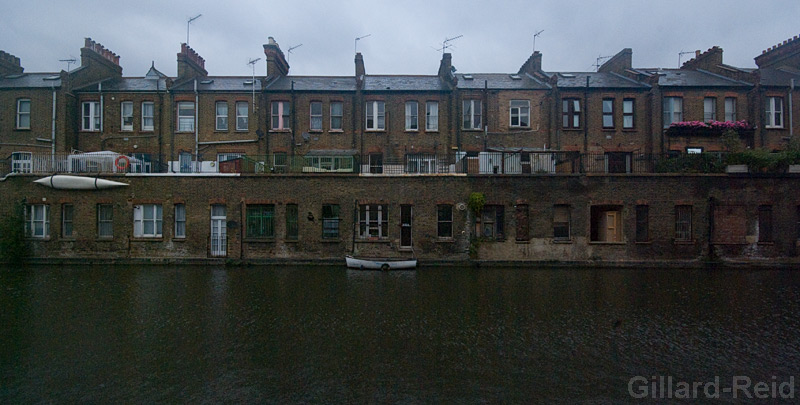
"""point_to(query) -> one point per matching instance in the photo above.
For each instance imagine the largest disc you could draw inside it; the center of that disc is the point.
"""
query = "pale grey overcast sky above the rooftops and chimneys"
(494, 36)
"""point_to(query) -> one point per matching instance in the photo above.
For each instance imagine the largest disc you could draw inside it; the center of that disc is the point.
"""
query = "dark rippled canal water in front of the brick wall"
(437, 335)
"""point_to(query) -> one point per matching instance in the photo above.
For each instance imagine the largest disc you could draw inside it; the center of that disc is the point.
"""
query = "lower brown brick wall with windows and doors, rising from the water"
(587, 220)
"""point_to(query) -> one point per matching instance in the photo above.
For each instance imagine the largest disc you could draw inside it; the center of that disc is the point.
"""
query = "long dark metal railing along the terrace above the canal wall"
(478, 163)
